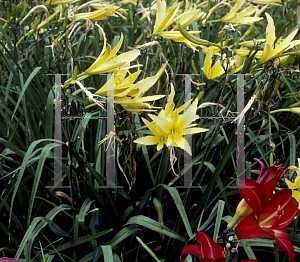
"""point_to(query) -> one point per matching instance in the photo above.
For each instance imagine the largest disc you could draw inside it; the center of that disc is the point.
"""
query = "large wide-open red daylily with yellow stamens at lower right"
(270, 218)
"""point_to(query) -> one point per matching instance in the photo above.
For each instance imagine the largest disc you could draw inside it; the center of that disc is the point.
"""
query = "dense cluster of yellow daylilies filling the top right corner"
(271, 50)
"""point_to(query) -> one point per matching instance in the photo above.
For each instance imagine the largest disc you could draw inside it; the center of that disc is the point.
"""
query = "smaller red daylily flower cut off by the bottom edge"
(209, 251)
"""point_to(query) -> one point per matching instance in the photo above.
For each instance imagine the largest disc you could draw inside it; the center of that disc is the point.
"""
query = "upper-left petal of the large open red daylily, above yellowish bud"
(253, 195)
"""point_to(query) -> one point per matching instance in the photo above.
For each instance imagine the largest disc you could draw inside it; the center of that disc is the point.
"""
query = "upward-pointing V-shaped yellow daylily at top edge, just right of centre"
(164, 18)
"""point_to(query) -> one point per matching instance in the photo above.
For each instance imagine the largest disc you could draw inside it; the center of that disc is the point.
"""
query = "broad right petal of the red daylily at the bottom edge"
(209, 248)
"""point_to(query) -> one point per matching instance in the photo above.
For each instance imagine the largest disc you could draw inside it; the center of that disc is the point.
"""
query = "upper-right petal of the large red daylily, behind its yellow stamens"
(273, 218)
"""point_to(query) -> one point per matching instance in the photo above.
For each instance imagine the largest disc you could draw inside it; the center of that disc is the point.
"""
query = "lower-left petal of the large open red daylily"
(248, 227)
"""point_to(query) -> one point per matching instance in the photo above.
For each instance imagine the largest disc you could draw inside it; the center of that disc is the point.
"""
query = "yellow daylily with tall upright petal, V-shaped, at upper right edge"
(269, 51)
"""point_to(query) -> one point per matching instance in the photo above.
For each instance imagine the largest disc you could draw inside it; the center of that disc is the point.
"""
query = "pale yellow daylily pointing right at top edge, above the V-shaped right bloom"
(242, 17)
